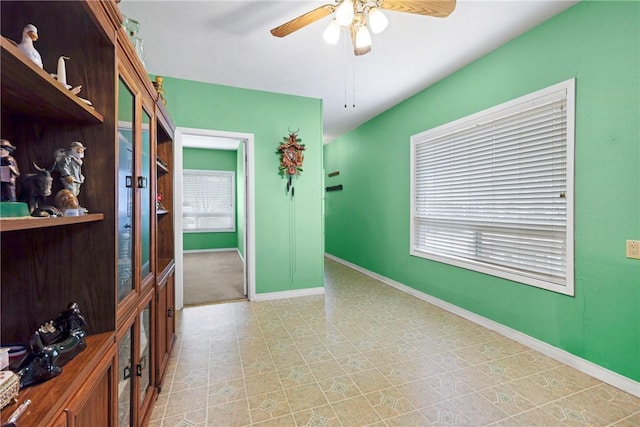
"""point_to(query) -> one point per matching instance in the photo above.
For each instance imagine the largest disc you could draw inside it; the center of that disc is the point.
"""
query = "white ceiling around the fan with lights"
(229, 43)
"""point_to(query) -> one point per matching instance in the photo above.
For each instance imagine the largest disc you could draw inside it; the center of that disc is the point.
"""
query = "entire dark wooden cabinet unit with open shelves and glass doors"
(117, 261)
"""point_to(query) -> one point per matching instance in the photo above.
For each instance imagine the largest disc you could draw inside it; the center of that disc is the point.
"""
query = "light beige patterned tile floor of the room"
(367, 354)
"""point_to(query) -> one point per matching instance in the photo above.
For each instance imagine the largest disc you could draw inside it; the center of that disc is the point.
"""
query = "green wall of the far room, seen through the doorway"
(205, 159)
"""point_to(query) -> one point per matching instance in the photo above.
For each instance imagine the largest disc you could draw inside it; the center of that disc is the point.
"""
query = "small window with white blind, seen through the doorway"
(208, 201)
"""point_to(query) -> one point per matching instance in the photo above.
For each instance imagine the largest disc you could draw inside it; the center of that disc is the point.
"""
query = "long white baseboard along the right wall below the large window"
(603, 374)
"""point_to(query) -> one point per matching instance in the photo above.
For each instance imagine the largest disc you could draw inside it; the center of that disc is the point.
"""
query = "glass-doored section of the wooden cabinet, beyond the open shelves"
(145, 238)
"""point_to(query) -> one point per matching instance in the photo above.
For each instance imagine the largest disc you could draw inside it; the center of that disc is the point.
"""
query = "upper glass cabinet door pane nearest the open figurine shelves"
(126, 113)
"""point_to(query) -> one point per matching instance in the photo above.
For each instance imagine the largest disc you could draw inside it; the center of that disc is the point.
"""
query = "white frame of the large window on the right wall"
(504, 110)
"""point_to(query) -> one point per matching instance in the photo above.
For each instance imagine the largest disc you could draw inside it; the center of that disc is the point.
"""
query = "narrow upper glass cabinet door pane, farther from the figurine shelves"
(144, 184)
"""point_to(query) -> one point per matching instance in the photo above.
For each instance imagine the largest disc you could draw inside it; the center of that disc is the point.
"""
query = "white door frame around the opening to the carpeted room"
(249, 232)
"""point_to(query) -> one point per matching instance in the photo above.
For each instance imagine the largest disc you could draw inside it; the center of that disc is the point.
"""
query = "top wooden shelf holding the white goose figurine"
(29, 90)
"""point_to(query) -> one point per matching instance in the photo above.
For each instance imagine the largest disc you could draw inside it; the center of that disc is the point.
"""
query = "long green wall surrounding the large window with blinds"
(367, 224)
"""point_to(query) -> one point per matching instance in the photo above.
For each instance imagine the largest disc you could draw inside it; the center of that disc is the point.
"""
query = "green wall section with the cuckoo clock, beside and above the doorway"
(288, 231)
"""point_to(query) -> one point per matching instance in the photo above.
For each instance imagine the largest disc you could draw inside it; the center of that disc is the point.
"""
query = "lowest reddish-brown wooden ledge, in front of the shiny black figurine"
(47, 397)
